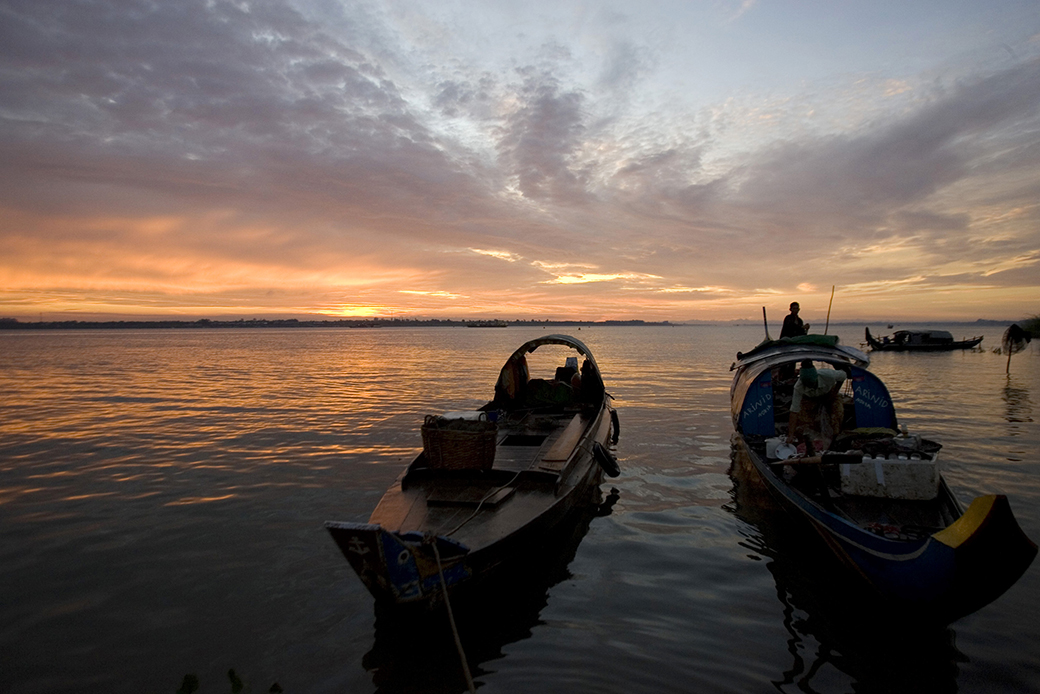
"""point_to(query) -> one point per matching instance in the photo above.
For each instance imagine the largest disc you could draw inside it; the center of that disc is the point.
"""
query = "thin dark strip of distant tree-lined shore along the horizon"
(205, 324)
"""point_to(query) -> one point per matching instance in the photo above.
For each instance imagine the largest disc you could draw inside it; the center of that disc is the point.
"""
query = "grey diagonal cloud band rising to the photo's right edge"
(900, 164)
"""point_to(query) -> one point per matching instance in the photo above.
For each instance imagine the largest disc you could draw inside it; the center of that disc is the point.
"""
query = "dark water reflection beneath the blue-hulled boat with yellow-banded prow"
(842, 637)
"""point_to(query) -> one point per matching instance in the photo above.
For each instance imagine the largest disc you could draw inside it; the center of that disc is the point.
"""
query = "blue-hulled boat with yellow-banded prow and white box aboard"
(876, 498)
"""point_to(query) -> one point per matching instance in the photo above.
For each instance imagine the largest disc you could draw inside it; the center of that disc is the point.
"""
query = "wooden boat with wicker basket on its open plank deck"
(489, 484)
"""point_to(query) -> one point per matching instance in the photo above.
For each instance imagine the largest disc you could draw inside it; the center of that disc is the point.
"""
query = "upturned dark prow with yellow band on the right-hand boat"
(991, 553)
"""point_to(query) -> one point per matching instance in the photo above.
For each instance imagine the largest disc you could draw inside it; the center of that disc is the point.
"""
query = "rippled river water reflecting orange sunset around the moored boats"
(163, 496)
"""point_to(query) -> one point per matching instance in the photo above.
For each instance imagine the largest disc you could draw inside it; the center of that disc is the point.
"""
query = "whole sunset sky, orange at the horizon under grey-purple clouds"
(659, 161)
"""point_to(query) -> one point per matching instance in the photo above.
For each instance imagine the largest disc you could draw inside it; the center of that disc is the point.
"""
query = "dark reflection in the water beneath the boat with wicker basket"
(418, 653)
